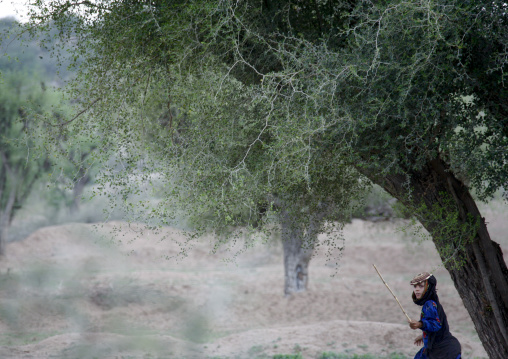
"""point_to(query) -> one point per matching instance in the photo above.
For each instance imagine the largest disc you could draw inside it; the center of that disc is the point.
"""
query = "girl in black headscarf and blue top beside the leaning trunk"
(437, 341)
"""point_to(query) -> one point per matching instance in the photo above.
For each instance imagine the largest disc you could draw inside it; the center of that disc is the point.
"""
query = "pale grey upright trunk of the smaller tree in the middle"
(298, 245)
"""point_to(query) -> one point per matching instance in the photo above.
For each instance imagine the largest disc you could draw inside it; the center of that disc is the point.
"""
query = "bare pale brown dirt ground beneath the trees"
(73, 291)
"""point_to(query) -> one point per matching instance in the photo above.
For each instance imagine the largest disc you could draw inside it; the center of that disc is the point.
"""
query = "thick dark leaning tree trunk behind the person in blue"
(482, 279)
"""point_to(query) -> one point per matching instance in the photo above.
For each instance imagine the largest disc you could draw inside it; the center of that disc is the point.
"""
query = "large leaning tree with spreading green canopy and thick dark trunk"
(274, 95)
